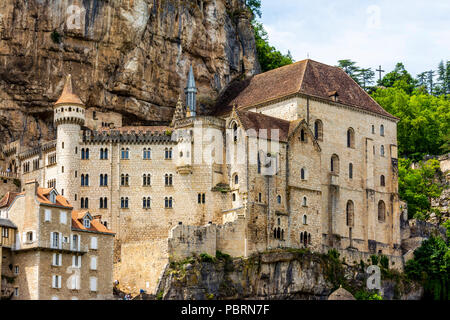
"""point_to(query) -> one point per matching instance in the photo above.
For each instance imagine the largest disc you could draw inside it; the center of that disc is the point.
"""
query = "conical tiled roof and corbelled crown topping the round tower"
(69, 108)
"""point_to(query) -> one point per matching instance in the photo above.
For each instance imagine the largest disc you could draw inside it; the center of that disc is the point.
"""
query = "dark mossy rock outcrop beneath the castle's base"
(279, 274)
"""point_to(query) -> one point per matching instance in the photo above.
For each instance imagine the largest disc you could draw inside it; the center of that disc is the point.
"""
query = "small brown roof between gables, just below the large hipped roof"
(257, 121)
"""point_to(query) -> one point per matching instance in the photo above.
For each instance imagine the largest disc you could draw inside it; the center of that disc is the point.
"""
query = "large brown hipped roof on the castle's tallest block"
(307, 77)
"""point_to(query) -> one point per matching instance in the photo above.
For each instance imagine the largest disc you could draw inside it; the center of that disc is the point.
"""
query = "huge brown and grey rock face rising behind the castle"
(130, 56)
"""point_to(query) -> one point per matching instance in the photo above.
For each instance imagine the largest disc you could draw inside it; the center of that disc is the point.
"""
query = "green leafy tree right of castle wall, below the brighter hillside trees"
(417, 187)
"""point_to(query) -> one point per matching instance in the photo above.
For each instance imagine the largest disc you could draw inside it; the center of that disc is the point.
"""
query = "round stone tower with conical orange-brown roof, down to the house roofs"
(69, 116)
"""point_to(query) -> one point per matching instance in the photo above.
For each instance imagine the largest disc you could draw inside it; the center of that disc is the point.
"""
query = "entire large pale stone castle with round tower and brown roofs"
(300, 156)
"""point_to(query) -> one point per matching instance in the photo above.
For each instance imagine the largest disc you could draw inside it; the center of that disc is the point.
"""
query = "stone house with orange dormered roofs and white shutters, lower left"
(55, 252)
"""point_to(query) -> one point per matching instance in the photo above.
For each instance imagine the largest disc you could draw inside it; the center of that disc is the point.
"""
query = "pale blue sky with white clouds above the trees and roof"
(372, 33)
